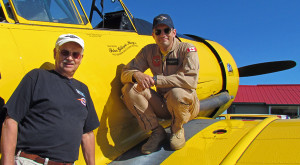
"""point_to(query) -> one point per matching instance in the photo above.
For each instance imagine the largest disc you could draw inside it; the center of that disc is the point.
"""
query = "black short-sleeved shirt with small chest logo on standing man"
(53, 113)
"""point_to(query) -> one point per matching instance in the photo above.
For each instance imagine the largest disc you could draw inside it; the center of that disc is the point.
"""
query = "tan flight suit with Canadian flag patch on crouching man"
(177, 78)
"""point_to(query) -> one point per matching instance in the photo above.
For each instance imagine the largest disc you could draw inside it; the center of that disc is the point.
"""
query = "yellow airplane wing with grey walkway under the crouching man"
(228, 142)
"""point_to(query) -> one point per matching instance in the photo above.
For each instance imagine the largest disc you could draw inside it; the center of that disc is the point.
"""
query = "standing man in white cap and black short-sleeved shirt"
(50, 113)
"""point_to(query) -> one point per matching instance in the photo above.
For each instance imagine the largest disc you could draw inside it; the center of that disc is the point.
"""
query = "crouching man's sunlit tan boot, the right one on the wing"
(177, 140)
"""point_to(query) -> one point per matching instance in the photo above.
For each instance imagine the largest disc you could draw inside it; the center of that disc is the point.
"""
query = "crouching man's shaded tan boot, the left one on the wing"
(158, 135)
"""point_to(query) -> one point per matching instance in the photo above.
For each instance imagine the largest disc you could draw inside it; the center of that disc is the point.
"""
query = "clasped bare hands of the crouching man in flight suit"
(144, 81)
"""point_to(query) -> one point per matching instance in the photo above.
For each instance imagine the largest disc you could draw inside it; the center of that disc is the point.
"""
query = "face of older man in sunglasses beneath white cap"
(68, 58)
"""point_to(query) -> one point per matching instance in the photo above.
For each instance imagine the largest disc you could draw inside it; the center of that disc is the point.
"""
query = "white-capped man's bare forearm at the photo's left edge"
(9, 141)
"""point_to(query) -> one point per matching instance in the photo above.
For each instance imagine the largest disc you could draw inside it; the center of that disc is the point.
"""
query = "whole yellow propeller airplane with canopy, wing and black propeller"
(29, 29)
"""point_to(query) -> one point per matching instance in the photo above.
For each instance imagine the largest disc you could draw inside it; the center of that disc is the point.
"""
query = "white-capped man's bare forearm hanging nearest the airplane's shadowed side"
(88, 147)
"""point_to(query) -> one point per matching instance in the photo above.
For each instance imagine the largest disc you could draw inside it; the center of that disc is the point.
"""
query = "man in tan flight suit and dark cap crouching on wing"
(175, 67)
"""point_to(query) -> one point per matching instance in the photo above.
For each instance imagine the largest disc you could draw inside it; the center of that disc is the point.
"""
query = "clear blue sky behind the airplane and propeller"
(253, 31)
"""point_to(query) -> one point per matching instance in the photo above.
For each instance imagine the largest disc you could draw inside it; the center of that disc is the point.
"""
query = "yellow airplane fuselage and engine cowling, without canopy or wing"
(28, 44)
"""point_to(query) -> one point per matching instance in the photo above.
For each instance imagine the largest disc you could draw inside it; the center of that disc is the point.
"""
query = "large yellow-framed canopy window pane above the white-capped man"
(61, 11)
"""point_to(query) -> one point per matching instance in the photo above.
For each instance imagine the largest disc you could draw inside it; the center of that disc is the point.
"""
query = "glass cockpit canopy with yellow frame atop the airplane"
(106, 14)
